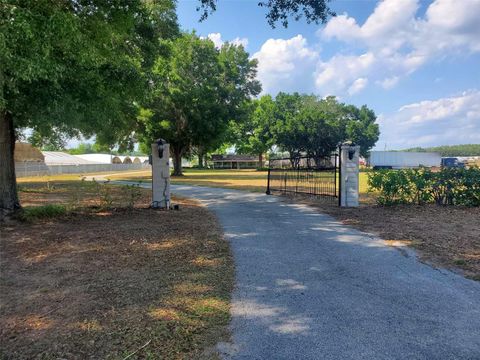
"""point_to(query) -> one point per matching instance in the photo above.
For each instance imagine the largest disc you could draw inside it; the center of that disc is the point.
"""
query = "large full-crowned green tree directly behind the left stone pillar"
(197, 90)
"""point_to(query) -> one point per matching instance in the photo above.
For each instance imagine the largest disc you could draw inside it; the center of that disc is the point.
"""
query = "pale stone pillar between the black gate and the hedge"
(349, 179)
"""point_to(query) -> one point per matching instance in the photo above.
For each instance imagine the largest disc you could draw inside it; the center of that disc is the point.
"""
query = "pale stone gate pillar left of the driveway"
(161, 175)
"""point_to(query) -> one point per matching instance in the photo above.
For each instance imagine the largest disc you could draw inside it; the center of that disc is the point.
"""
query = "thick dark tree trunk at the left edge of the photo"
(8, 182)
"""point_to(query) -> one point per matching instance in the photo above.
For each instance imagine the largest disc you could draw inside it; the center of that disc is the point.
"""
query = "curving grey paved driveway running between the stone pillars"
(309, 287)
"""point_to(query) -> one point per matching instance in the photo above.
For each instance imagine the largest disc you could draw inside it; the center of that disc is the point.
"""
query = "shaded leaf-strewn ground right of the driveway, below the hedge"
(447, 236)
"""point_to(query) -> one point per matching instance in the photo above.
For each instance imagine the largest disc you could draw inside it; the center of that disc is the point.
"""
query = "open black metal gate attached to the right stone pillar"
(304, 175)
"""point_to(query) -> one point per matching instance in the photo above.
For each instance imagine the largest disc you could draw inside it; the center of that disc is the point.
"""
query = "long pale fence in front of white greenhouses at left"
(40, 169)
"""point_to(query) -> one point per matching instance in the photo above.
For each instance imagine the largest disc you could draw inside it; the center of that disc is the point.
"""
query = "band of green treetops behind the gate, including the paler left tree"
(305, 125)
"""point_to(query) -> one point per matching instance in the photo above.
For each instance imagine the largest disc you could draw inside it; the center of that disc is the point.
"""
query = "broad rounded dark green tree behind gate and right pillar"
(307, 125)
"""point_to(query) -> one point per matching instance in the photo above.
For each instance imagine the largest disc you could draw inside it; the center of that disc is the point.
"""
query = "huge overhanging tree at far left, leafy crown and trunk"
(73, 67)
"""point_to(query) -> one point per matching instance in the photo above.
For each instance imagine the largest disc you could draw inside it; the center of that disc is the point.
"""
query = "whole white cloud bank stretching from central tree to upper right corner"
(392, 43)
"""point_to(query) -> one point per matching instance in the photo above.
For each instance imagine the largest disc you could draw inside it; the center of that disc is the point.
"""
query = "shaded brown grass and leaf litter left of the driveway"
(106, 283)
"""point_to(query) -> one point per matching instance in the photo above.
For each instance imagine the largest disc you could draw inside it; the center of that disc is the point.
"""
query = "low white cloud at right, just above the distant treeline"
(450, 120)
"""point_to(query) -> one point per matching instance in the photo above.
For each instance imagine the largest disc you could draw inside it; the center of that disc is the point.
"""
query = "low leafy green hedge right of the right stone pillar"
(449, 186)
